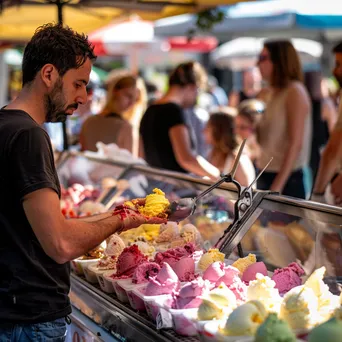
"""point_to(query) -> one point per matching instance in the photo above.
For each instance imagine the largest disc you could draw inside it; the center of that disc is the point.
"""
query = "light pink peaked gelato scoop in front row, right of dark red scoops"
(166, 282)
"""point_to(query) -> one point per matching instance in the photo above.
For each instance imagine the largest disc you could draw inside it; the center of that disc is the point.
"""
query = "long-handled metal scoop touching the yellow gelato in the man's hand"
(185, 207)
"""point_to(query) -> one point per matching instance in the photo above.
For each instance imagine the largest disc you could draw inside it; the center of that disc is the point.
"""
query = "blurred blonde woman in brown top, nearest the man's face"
(110, 126)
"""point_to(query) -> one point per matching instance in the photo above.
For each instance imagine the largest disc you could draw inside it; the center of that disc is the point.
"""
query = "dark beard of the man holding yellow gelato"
(55, 104)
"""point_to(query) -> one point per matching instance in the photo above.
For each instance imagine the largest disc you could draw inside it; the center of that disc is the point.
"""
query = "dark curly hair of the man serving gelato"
(58, 45)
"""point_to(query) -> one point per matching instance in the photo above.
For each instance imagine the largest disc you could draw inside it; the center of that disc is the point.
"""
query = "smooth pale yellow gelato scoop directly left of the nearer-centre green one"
(245, 319)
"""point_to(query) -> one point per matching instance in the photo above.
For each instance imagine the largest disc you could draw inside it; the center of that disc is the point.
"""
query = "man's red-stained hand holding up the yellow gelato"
(132, 218)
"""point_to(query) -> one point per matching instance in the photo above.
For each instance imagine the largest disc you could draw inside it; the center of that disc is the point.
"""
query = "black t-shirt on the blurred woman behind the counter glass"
(154, 130)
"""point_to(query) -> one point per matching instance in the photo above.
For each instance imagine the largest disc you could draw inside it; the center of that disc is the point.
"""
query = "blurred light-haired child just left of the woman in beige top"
(248, 114)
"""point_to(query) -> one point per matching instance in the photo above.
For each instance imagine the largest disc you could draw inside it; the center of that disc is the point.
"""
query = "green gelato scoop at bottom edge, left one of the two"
(274, 330)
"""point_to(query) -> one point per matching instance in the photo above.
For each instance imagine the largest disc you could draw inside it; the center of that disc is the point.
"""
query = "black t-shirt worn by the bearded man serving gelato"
(33, 287)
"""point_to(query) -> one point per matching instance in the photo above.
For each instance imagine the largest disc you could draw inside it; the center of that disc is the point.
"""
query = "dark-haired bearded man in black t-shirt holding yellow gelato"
(36, 241)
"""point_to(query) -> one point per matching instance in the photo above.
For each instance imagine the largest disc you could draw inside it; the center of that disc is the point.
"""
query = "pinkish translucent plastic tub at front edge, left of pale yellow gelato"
(183, 321)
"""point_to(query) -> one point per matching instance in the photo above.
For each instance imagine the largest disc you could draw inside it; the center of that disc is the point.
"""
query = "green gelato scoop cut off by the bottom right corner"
(330, 331)
